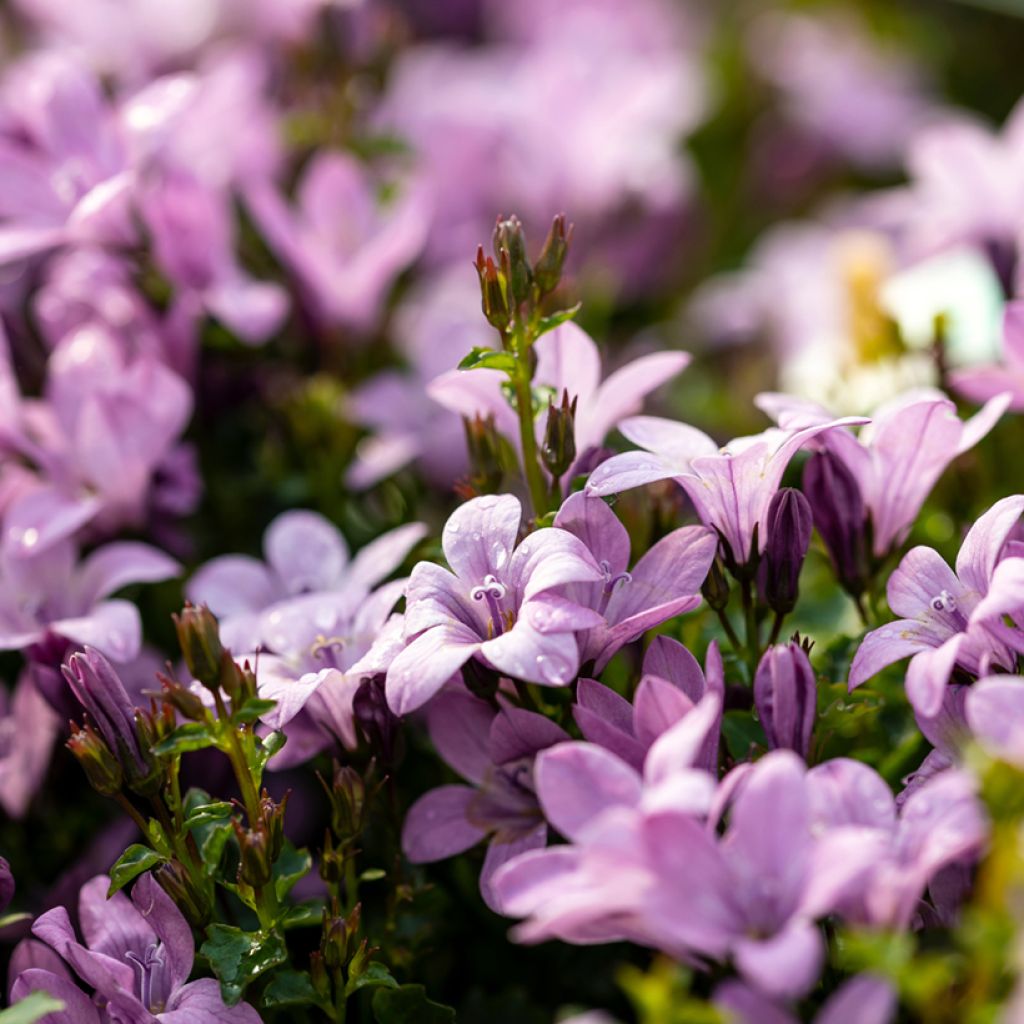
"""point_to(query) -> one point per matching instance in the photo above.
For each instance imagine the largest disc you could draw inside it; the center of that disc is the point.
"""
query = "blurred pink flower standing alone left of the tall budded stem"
(344, 245)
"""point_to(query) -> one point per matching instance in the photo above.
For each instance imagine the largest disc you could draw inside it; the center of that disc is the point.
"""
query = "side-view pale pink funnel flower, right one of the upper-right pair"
(900, 456)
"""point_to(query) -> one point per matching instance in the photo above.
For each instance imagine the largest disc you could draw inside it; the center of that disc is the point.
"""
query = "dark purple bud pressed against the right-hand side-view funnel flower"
(840, 518)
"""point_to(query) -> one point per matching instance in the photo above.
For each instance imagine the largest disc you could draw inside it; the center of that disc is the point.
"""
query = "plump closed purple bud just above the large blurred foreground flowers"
(786, 697)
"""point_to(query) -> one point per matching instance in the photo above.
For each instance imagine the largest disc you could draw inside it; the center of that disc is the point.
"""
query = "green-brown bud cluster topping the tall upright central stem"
(509, 284)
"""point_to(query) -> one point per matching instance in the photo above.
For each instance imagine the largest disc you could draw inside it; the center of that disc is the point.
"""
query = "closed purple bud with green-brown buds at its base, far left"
(114, 745)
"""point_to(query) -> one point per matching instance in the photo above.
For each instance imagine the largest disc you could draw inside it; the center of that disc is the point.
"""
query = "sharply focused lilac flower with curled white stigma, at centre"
(498, 604)
